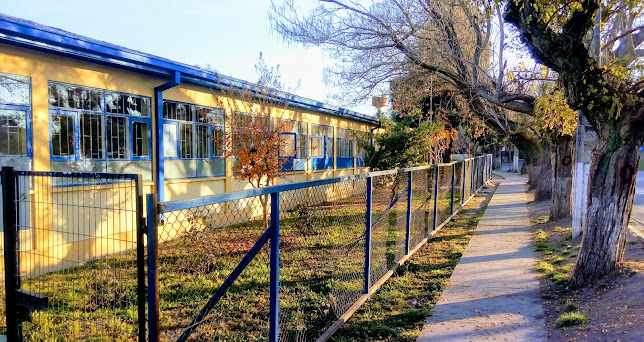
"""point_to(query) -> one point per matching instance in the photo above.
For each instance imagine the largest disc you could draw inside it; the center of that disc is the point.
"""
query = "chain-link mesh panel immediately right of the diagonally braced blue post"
(322, 256)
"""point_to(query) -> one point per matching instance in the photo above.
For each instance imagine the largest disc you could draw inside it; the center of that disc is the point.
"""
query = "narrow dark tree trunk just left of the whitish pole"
(562, 160)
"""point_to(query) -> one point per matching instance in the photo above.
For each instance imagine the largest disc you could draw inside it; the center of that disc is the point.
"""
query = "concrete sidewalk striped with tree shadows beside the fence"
(494, 291)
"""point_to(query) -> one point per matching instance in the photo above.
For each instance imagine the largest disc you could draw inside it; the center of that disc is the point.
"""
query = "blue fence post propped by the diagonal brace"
(275, 264)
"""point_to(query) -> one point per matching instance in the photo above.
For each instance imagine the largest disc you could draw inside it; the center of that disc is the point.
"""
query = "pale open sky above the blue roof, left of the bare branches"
(227, 35)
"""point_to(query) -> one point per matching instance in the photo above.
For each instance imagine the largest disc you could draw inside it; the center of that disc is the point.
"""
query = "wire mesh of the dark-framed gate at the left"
(77, 247)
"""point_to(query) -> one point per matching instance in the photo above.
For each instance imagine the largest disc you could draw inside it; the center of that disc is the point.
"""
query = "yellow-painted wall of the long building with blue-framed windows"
(107, 232)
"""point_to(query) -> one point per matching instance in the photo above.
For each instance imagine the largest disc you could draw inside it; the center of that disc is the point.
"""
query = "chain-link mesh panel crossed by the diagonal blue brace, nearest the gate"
(198, 250)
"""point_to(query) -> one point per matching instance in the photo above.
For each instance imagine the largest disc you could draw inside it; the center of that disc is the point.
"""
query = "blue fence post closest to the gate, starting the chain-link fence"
(153, 267)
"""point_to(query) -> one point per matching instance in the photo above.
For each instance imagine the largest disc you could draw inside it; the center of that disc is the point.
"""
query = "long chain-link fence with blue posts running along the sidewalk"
(291, 262)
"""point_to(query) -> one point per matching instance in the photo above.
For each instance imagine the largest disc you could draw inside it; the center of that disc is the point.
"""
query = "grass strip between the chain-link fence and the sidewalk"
(397, 312)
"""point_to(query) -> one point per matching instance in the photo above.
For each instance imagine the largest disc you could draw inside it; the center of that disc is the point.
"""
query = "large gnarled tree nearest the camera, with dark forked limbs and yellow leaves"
(594, 47)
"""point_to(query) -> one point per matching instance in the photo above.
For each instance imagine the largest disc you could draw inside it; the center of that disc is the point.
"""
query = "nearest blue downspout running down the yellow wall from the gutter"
(159, 176)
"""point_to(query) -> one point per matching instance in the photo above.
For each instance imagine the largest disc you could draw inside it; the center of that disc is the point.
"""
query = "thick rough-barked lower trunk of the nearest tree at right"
(612, 188)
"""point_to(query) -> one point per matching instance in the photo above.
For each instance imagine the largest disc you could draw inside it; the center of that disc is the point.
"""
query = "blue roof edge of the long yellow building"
(28, 34)
